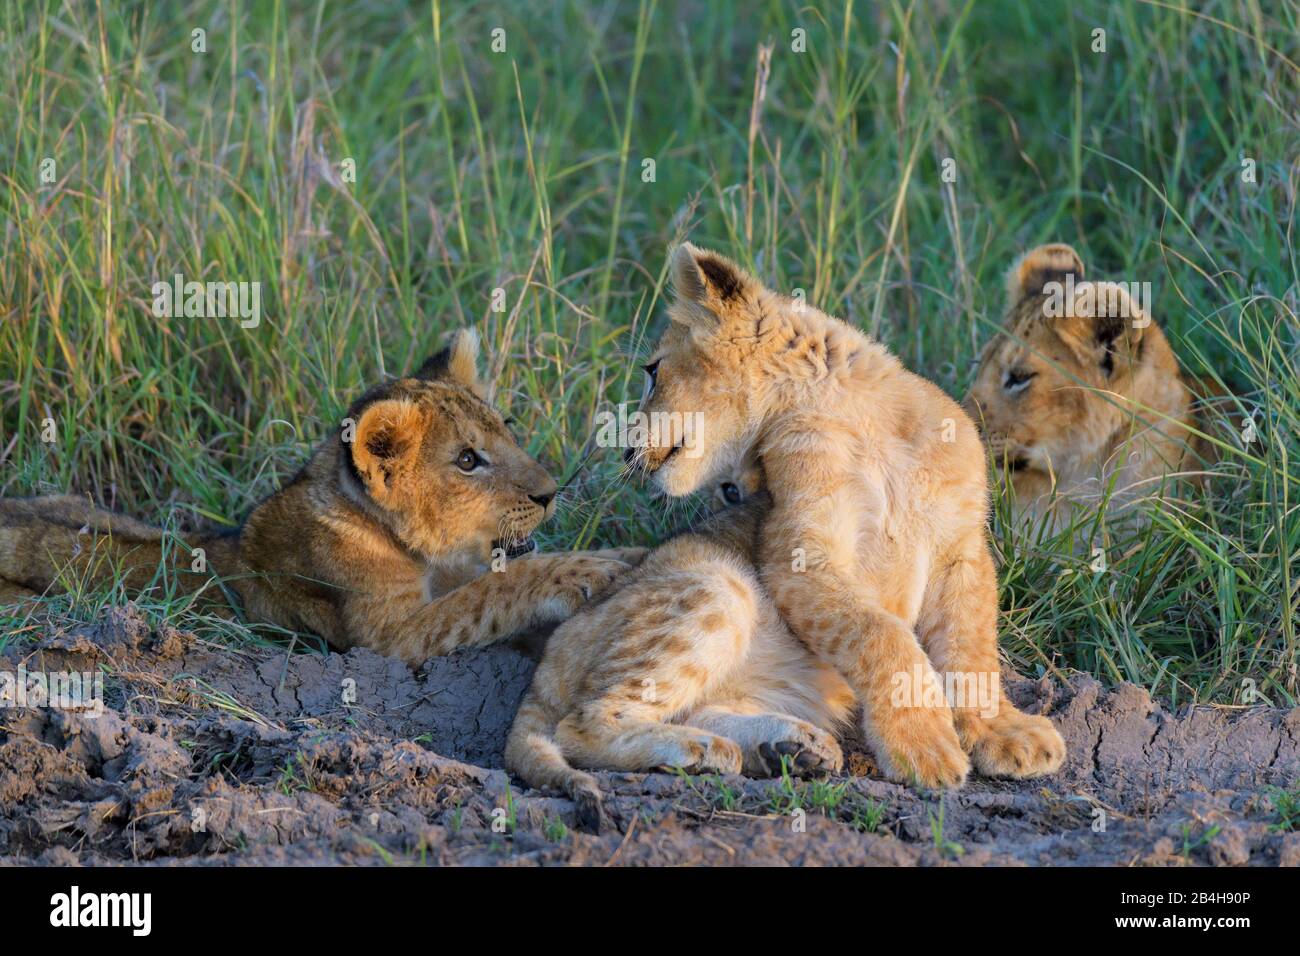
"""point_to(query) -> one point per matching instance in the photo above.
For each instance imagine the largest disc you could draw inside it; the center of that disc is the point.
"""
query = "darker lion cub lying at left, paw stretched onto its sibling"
(383, 540)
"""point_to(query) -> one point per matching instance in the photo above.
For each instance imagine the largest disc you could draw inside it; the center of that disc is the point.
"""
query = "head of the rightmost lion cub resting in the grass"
(1077, 370)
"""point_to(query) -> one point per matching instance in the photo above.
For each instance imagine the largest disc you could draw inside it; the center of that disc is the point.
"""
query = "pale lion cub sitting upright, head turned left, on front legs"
(876, 550)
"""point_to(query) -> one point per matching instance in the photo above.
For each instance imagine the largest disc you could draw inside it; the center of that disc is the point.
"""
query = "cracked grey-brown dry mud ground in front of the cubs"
(214, 756)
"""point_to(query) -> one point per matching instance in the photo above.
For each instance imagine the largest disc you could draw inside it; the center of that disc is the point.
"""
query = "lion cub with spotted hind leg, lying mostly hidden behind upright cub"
(687, 664)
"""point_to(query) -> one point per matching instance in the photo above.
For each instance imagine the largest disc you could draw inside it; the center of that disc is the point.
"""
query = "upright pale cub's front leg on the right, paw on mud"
(959, 628)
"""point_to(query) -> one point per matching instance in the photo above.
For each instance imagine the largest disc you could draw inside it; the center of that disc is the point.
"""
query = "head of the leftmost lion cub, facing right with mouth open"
(436, 464)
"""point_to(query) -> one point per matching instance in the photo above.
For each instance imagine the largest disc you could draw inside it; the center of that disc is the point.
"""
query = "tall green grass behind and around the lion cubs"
(523, 171)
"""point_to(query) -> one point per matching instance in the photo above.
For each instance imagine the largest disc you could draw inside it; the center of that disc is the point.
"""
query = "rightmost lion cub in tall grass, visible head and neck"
(1090, 405)
